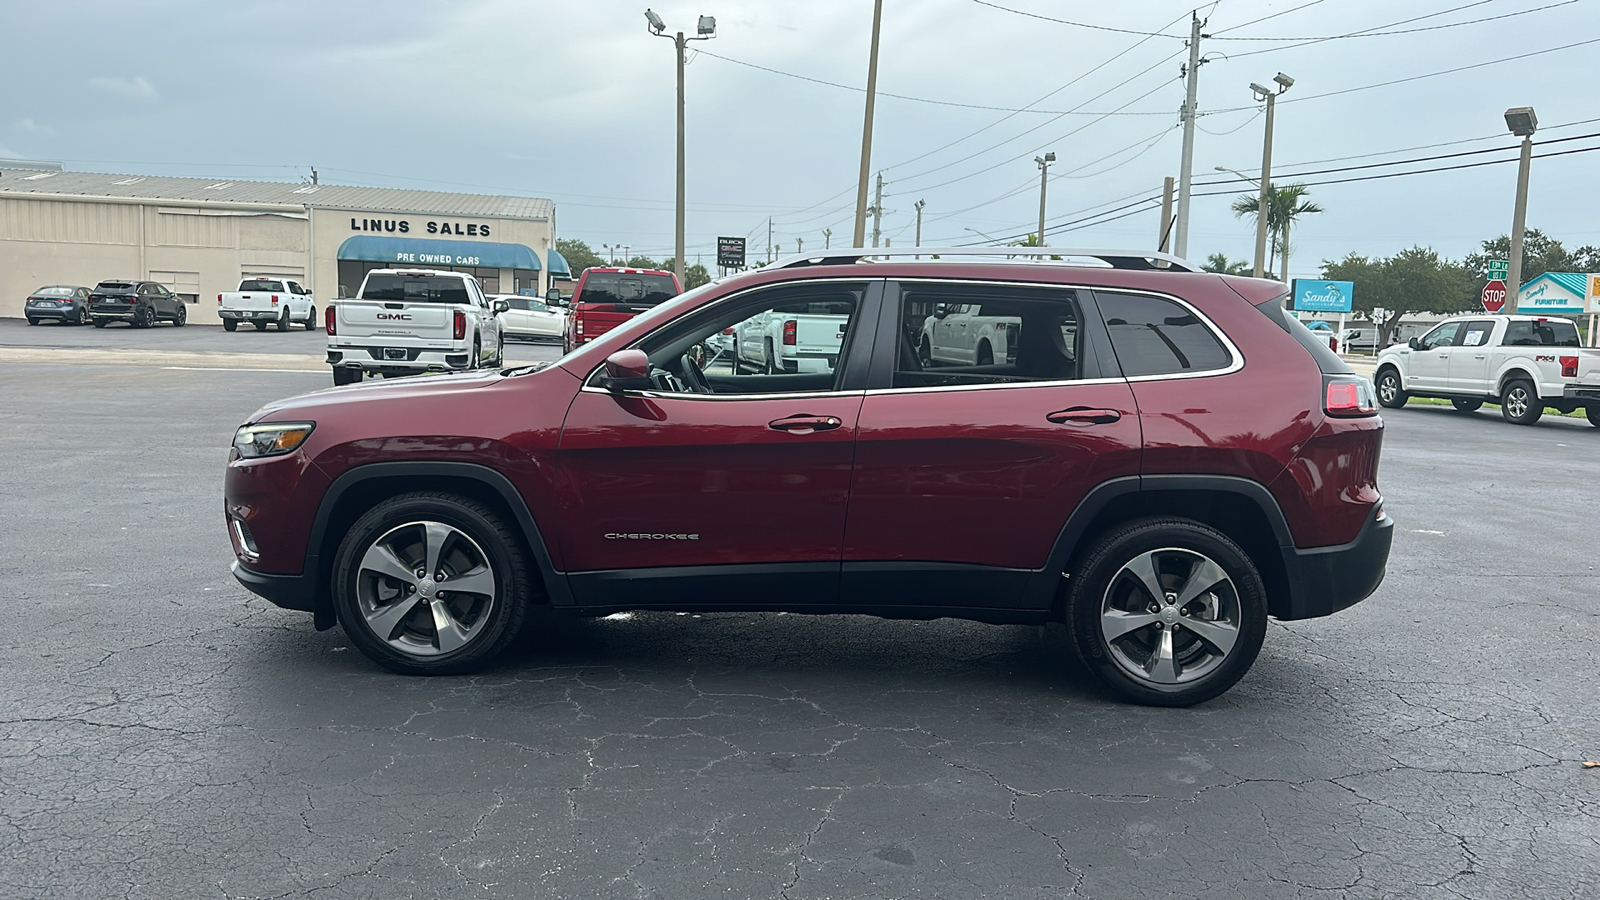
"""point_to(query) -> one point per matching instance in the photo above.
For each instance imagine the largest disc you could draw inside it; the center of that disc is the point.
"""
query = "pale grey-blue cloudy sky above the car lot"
(575, 102)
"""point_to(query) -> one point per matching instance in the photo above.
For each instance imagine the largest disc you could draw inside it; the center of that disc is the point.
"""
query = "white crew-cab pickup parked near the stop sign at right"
(1521, 363)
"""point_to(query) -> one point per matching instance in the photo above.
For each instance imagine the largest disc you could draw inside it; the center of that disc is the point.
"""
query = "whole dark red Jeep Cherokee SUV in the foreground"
(1158, 457)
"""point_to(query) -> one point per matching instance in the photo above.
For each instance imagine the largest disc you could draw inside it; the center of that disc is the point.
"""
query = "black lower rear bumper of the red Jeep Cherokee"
(1327, 581)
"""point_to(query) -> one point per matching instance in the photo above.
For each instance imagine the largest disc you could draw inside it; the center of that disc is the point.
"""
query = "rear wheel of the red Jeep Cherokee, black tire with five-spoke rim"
(1102, 597)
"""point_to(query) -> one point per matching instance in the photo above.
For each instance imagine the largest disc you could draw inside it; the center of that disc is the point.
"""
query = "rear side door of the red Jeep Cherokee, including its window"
(966, 475)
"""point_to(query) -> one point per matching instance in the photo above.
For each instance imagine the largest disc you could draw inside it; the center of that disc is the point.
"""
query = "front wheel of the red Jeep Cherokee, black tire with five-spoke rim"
(492, 555)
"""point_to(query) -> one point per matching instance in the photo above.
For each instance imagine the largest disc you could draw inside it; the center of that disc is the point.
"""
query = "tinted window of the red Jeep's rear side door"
(956, 335)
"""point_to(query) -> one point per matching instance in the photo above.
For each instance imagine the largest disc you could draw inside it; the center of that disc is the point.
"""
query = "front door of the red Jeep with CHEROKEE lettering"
(726, 489)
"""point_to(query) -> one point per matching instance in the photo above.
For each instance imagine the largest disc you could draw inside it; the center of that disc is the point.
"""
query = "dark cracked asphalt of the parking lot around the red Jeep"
(167, 734)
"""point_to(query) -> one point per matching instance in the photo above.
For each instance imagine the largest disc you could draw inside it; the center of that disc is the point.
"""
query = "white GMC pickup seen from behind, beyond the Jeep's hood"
(414, 321)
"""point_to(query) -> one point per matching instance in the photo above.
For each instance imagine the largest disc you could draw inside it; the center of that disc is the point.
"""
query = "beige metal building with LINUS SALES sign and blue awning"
(199, 236)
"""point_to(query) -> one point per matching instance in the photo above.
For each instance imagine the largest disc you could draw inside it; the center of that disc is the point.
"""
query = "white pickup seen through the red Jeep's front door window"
(799, 337)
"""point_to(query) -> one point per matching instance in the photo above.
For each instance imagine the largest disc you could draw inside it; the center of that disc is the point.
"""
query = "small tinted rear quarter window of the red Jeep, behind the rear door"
(1159, 337)
